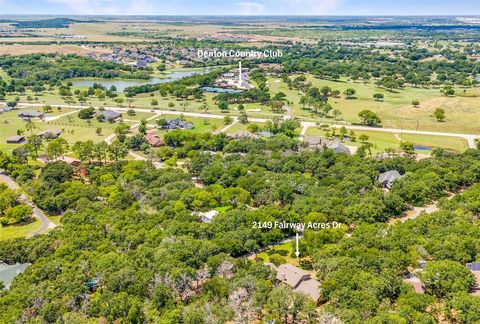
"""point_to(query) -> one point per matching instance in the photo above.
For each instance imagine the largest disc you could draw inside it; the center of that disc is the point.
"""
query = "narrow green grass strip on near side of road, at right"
(383, 140)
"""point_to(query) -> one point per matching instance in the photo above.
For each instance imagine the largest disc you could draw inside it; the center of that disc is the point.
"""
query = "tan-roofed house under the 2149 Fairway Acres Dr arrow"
(300, 280)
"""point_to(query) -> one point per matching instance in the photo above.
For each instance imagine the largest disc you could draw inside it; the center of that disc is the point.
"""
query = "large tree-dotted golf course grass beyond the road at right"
(396, 110)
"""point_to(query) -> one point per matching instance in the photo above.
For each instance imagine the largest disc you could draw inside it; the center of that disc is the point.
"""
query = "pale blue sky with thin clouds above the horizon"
(241, 7)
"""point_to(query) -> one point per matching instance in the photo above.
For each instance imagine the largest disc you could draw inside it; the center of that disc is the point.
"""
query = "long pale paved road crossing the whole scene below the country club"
(470, 138)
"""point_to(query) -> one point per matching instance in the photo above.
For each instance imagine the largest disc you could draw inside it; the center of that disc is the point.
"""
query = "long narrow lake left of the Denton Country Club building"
(122, 84)
